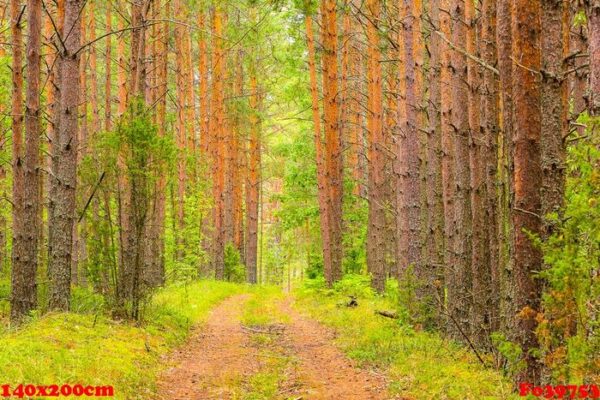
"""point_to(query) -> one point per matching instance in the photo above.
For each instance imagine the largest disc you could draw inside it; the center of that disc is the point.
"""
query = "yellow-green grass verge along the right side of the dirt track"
(420, 365)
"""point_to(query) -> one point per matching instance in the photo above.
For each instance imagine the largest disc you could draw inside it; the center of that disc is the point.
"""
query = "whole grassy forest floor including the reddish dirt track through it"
(218, 340)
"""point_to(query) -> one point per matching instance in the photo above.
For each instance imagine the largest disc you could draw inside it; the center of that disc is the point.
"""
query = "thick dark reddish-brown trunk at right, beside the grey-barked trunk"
(526, 31)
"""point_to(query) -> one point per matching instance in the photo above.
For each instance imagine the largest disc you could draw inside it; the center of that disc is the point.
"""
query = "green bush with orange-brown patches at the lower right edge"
(569, 330)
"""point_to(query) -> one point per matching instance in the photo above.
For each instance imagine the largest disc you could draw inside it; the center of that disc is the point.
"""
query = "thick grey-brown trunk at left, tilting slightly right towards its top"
(65, 175)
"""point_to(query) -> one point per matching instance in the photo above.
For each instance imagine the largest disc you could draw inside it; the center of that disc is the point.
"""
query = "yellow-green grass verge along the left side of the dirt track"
(94, 350)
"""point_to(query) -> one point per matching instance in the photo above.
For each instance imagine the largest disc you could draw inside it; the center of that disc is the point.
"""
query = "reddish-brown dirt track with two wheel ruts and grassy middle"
(226, 360)
